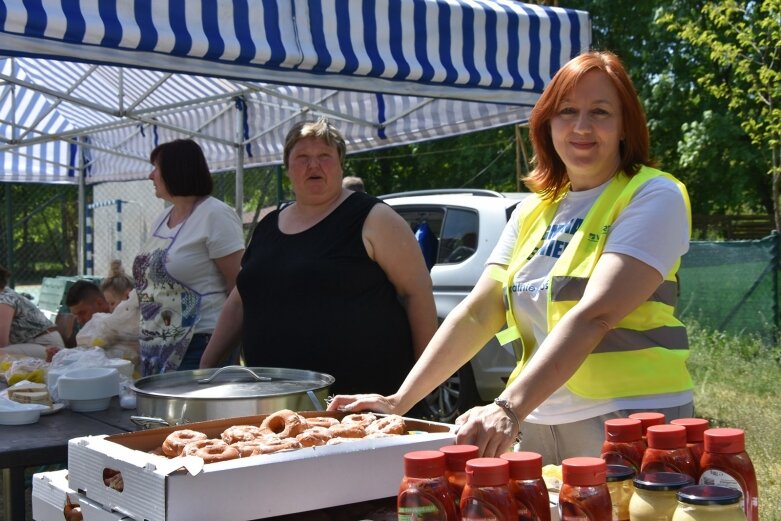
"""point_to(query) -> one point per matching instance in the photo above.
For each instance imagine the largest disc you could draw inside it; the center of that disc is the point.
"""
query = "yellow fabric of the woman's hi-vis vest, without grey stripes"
(603, 375)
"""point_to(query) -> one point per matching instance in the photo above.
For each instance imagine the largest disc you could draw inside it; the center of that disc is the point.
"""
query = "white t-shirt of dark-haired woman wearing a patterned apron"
(213, 230)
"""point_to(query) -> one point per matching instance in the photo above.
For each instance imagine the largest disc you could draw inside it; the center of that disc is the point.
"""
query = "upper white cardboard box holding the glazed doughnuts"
(157, 488)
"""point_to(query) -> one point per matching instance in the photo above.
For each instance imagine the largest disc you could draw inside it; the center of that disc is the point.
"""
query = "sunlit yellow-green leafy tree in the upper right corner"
(742, 42)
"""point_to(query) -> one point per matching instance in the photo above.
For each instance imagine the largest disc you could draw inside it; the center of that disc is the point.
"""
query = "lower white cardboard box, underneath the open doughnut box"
(50, 490)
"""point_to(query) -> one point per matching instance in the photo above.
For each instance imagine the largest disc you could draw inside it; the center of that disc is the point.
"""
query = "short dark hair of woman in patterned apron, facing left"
(183, 167)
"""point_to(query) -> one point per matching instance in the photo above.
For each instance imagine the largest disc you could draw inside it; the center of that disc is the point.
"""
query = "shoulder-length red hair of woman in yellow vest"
(549, 176)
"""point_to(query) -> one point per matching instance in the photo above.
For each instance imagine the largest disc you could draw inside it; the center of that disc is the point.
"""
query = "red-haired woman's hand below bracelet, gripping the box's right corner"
(489, 428)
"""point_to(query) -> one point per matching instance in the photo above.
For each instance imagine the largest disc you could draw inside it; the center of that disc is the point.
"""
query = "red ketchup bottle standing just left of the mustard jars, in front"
(584, 495)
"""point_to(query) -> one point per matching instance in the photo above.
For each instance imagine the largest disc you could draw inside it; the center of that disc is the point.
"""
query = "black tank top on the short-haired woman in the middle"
(315, 300)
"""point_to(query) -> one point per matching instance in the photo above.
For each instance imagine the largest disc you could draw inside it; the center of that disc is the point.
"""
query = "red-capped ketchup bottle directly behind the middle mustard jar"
(667, 451)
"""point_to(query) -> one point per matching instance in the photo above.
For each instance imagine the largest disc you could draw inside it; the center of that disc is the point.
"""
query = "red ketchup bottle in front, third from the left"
(486, 495)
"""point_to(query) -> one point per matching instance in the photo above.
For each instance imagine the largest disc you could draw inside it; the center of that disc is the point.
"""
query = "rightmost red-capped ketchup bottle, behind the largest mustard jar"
(725, 463)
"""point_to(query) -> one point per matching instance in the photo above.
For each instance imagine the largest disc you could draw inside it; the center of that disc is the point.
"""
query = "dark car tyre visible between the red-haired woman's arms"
(457, 395)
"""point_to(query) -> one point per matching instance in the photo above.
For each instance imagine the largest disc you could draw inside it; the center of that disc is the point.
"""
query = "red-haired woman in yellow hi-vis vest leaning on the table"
(584, 277)
